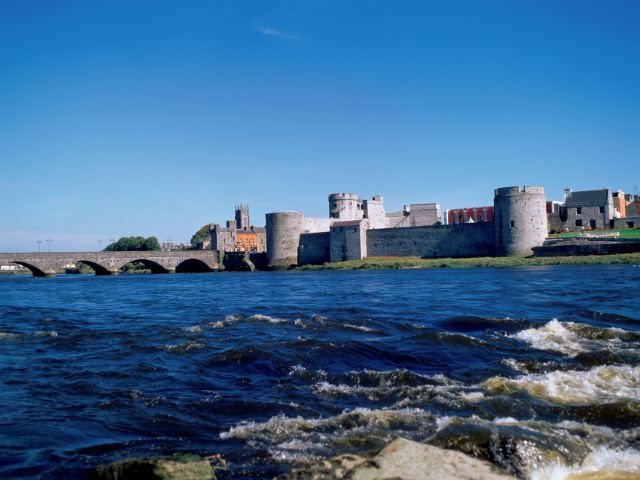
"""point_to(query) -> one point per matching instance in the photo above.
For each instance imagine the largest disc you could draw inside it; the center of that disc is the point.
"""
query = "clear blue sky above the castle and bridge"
(155, 117)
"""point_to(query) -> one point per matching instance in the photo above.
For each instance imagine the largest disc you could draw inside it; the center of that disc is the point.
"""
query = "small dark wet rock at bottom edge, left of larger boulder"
(185, 467)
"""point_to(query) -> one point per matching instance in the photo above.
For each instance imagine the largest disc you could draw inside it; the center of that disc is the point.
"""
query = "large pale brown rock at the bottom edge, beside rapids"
(402, 460)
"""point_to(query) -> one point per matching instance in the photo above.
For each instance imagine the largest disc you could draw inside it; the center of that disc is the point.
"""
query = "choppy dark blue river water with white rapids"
(535, 369)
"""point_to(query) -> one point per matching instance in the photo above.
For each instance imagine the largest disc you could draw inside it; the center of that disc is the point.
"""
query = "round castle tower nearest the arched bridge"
(283, 237)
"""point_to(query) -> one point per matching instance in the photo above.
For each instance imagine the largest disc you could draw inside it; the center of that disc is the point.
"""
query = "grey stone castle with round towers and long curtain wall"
(357, 228)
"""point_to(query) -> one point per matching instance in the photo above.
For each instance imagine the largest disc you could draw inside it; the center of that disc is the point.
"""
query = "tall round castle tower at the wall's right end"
(520, 220)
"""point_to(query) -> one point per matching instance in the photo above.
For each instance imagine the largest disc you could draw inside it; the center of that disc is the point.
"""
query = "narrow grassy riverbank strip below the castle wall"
(417, 262)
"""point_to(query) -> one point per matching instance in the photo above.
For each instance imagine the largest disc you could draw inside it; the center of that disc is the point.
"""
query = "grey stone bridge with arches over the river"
(111, 263)
